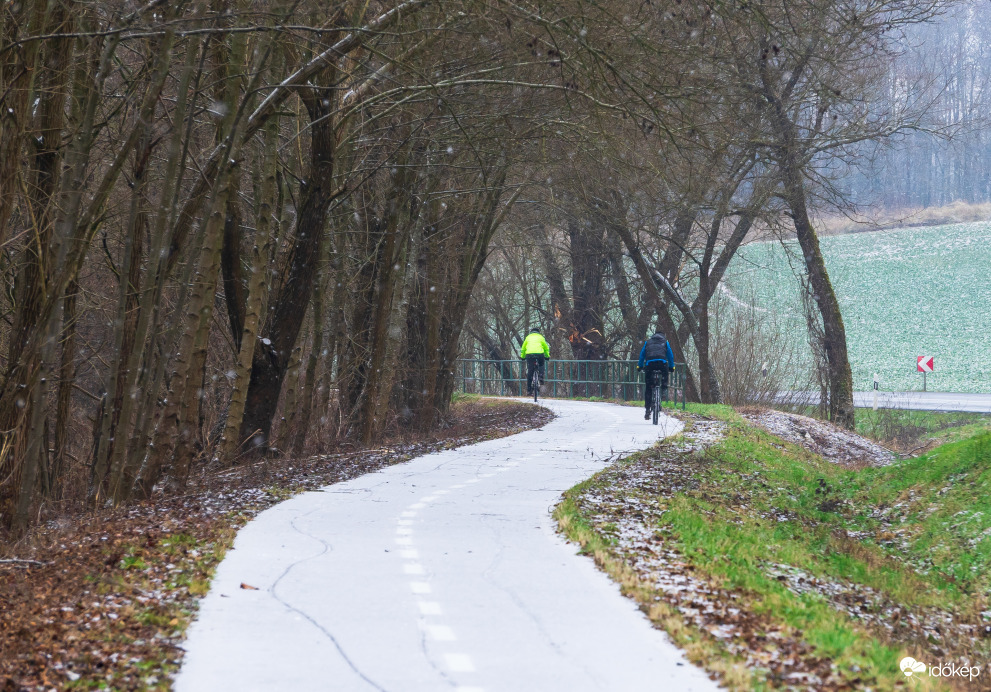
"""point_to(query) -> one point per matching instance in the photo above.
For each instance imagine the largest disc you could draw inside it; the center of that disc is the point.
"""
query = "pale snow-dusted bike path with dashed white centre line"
(443, 573)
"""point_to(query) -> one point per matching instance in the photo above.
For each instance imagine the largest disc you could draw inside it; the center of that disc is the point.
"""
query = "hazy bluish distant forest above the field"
(947, 158)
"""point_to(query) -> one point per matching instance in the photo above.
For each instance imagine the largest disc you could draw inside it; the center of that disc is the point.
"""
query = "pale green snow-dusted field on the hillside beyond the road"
(904, 293)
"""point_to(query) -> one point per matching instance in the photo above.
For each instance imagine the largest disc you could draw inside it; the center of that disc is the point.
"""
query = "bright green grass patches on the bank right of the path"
(916, 531)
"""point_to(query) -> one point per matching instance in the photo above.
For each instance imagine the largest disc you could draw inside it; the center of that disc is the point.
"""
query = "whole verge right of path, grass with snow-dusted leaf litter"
(775, 567)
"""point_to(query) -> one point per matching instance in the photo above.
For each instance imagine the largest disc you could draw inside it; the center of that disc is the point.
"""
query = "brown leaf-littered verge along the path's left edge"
(102, 600)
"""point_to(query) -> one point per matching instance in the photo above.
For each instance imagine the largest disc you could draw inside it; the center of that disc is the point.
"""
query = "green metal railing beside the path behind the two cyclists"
(566, 379)
